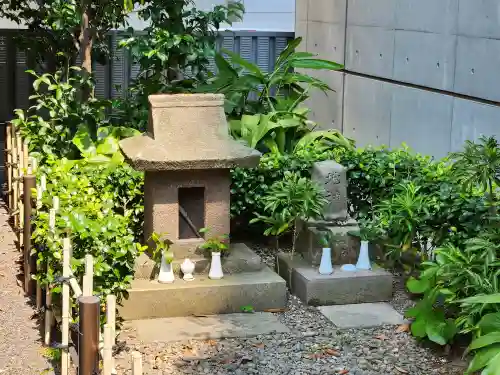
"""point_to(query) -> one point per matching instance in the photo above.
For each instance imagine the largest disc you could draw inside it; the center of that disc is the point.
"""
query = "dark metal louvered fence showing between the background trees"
(261, 48)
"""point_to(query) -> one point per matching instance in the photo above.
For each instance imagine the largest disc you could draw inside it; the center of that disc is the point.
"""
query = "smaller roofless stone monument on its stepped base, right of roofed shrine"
(301, 271)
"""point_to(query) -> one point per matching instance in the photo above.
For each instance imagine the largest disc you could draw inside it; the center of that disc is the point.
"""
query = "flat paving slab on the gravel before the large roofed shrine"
(208, 327)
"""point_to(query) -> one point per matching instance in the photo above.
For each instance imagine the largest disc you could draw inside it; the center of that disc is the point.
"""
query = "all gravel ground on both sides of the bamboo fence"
(314, 345)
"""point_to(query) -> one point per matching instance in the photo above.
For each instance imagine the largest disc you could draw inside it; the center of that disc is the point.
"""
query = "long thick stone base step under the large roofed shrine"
(148, 299)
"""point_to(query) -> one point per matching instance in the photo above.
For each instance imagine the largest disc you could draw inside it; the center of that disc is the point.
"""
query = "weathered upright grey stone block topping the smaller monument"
(332, 176)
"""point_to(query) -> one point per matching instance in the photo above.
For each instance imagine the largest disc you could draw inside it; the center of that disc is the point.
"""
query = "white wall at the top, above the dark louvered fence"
(261, 15)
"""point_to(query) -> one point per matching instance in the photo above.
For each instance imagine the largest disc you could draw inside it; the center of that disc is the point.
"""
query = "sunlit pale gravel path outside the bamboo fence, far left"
(20, 346)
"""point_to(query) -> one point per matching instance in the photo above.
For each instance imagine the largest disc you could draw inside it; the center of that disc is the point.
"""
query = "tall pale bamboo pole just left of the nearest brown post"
(65, 359)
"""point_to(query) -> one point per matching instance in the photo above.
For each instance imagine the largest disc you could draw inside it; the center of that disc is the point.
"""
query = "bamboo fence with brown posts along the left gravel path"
(93, 343)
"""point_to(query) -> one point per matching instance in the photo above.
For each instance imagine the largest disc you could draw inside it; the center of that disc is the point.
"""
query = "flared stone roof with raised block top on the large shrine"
(187, 131)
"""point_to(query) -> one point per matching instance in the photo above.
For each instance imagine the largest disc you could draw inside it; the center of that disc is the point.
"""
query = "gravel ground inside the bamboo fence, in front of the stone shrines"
(314, 346)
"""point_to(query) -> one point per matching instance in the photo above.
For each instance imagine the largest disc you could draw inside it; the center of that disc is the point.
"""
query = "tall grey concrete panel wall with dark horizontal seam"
(424, 72)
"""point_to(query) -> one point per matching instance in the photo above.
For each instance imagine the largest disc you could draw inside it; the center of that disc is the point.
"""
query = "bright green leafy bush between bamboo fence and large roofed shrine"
(100, 219)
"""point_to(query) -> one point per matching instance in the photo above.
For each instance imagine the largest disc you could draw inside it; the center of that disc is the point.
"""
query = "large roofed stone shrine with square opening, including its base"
(187, 154)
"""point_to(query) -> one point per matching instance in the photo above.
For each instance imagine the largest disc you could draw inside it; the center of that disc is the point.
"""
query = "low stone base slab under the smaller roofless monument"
(339, 288)
